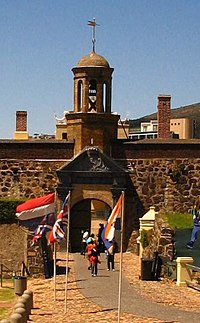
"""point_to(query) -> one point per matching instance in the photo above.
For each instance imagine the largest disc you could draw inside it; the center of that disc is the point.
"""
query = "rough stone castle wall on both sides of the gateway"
(171, 183)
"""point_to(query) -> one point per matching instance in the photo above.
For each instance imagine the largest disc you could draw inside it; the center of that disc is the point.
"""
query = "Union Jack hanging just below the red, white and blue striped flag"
(45, 225)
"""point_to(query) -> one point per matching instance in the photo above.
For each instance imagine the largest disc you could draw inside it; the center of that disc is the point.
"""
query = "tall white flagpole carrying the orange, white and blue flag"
(120, 262)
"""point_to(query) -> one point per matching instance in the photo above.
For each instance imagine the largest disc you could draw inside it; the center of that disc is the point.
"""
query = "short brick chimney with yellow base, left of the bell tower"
(21, 126)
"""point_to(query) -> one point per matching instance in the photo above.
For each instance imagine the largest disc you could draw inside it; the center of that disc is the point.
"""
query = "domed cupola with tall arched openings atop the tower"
(92, 84)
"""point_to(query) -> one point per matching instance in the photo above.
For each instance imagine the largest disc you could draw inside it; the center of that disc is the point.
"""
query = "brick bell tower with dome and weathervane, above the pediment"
(92, 123)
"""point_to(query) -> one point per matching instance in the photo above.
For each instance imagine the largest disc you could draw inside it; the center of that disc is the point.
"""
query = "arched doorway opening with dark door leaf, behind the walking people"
(86, 214)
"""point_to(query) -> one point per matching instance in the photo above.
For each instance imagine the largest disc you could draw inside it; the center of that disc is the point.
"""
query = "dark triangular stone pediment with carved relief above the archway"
(91, 159)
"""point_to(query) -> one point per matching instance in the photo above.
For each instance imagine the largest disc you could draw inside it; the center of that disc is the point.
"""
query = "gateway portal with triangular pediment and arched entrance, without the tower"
(90, 176)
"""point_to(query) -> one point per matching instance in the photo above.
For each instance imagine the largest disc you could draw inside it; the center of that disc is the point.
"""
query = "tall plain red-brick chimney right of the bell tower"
(164, 111)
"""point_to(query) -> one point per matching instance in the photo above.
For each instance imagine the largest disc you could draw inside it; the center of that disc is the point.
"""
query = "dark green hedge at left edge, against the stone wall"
(8, 210)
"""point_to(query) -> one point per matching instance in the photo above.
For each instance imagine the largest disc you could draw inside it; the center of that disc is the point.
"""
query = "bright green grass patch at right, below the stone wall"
(180, 220)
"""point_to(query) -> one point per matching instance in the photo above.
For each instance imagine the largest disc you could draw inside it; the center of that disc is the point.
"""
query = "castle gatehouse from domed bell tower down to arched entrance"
(93, 177)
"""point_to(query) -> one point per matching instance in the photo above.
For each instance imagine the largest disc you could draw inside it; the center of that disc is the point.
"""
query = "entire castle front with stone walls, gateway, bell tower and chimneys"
(87, 158)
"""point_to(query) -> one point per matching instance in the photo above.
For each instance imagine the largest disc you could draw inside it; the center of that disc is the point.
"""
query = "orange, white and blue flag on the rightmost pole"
(108, 232)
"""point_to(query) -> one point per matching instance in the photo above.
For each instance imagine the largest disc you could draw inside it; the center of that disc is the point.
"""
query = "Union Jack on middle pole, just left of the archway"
(58, 231)
